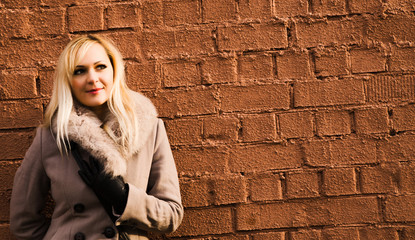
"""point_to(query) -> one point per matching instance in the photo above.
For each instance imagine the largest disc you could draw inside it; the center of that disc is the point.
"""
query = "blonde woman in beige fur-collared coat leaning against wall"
(101, 152)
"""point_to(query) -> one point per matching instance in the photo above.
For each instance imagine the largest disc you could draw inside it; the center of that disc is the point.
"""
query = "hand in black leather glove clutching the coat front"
(109, 189)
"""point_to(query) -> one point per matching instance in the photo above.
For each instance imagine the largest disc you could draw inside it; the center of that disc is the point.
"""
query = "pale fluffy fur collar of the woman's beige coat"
(92, 135)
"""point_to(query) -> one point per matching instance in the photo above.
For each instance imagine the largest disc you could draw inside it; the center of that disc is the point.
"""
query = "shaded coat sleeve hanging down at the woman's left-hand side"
(30, 188)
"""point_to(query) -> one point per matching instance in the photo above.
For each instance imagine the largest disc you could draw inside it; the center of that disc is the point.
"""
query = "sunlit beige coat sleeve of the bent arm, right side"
(160, 208)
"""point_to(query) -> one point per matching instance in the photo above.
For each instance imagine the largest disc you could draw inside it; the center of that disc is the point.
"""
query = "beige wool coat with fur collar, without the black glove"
(153, 204)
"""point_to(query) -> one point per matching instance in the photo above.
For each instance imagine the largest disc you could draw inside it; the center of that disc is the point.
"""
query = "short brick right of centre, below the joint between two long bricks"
(296, 124)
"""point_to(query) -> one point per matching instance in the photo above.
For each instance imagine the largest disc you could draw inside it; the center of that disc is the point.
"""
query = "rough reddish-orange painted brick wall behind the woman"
(288, 119)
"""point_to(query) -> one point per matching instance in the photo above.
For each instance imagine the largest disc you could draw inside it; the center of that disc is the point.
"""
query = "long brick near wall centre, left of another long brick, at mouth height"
(257, 97)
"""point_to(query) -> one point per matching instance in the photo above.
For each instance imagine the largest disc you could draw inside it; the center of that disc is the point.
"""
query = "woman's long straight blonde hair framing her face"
(119, 102)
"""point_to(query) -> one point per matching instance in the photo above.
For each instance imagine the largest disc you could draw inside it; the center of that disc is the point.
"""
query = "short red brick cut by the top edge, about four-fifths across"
(329, 7)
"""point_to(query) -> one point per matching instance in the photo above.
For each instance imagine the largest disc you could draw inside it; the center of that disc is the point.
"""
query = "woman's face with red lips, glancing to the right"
(93, 77)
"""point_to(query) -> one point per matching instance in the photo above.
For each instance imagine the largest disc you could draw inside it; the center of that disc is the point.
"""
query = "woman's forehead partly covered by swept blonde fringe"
(91, 53)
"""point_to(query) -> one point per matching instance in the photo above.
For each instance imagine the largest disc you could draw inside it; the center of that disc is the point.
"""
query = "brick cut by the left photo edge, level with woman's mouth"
(18, 84)
